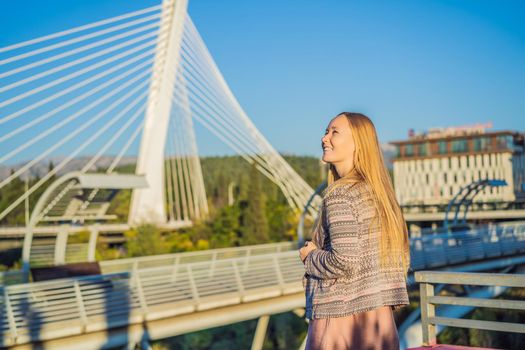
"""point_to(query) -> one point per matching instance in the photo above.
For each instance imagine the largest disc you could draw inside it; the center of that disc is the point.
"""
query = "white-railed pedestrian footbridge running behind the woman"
(148, 298)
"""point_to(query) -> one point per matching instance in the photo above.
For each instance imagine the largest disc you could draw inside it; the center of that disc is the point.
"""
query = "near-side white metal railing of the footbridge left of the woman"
(45, 310)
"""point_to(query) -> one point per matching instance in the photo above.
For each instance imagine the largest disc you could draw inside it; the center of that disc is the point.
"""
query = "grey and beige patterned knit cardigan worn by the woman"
(345, 277)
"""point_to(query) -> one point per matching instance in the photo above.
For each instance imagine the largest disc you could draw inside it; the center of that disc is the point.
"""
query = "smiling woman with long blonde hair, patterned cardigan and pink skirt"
(357, 261)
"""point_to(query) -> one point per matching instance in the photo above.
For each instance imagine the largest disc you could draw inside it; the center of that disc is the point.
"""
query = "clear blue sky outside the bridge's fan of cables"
(295, 64)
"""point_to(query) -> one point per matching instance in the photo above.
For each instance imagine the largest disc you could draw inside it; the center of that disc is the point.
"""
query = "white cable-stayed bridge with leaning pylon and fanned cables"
(135, 82)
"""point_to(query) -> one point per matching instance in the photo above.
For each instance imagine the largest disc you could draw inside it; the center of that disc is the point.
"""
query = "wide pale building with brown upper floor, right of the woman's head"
(432, 168)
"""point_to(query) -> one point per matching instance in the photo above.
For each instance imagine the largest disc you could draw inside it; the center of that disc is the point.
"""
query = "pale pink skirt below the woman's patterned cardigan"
(375, 329)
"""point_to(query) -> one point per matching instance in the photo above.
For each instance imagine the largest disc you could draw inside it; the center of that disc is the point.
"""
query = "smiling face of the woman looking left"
(338, 143)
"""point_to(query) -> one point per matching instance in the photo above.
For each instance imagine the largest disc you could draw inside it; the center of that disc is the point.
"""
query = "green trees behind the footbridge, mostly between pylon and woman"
(253, 211)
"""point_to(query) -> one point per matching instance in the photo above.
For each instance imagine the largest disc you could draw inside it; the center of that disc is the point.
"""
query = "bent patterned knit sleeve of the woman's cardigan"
(343, 228)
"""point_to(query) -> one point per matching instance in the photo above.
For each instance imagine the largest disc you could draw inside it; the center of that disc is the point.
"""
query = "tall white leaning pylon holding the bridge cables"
(148, 204)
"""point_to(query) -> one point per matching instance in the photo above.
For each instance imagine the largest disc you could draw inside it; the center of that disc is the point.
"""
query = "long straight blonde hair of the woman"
(369, 166)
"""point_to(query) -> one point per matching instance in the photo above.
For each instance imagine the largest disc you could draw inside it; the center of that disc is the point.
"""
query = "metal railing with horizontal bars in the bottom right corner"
(429, 301)
